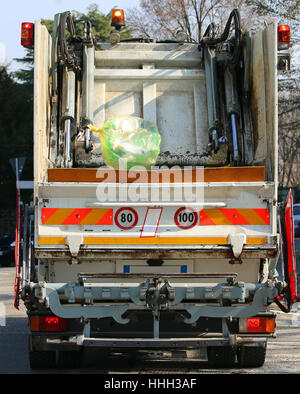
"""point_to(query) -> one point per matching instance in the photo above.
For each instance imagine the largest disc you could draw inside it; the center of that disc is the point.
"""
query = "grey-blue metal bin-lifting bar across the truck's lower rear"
(96, 298)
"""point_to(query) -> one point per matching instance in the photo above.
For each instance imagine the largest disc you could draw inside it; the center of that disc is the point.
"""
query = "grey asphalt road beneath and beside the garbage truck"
(283, 355)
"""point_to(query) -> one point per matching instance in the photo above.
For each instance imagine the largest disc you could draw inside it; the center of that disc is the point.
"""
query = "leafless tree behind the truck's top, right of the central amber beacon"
(161, 19)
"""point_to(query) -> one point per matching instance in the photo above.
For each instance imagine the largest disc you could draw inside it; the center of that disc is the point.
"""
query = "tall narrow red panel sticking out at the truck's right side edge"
(288, 255)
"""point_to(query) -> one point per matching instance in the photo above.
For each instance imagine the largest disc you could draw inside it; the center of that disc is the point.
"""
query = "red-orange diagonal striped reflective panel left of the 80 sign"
(79, 216)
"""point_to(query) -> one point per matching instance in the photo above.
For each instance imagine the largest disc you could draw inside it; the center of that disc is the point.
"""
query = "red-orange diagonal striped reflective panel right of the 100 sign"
(219, 217)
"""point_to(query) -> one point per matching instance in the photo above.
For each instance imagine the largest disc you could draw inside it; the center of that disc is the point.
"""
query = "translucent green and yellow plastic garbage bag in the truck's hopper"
(129, 141)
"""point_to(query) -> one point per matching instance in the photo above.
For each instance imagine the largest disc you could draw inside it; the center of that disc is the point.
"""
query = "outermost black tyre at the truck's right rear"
(251, 356)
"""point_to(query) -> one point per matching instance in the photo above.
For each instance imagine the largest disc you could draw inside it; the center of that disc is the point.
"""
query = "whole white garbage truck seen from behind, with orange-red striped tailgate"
(175, 253)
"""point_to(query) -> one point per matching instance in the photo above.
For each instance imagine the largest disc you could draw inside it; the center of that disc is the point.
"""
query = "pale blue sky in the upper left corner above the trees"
(14, 12)
